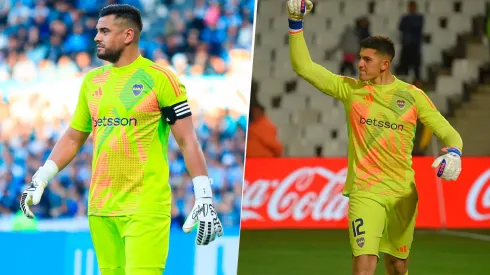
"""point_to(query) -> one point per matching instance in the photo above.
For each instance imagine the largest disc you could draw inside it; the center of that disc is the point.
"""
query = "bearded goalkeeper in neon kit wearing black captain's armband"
(130, 106)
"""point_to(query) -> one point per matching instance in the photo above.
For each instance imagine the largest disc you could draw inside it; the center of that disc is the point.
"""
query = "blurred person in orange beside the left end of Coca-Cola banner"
(262, 134)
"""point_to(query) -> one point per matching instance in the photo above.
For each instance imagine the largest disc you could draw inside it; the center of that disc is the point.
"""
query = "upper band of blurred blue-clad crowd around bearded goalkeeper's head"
(43, 38)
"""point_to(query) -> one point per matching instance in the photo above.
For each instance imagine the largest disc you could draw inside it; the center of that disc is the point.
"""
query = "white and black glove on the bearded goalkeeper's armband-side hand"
(204, 213)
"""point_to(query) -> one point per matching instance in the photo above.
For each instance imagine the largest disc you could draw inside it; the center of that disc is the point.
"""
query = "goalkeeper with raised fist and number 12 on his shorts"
(382, 113)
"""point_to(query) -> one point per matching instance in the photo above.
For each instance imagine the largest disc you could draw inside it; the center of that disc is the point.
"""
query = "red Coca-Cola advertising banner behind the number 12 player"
(307, 193)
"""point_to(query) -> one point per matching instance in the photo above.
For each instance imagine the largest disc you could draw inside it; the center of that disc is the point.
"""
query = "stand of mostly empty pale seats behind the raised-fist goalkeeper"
(454, 70)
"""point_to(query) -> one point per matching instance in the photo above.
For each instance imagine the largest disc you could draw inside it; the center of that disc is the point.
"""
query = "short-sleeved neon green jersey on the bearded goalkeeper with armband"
(122, 107)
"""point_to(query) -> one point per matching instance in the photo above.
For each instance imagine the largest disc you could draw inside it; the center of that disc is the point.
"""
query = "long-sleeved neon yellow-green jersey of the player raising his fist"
(381, 125)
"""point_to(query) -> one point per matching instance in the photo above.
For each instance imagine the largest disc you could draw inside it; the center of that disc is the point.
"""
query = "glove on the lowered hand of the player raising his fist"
(449, 164)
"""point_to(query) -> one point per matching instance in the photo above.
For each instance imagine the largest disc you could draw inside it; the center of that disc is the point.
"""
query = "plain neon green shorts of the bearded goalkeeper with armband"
(130, 245)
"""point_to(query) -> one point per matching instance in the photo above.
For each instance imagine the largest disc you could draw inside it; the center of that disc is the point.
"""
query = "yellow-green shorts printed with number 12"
(379, 223)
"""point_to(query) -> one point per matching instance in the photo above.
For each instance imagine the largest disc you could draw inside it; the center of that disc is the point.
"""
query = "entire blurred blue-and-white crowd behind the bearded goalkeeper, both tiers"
(47, 39)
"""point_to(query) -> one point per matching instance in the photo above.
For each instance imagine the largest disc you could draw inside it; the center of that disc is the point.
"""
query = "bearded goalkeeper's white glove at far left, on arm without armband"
(32, 195)
